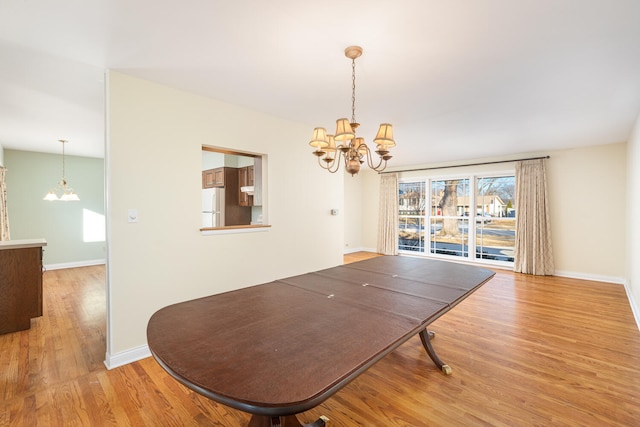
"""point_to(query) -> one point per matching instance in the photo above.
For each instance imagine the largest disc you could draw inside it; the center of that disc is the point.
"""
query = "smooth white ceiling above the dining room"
(459, 79)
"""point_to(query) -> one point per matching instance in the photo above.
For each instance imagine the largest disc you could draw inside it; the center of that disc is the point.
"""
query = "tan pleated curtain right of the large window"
(533, 253)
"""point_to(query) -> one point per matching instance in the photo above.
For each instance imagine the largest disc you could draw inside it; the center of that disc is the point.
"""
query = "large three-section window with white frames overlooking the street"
(468, 217)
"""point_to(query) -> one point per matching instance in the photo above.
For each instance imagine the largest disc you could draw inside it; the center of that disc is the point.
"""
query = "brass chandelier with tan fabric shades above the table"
(352, 148)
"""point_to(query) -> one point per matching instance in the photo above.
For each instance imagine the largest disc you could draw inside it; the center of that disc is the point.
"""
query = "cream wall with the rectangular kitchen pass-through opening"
(153, 162)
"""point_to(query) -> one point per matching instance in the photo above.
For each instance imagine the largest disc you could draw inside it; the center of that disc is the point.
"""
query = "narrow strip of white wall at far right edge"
(633, 214)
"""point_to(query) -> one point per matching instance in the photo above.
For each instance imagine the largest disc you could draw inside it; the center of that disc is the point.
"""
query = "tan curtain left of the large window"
(388, 215)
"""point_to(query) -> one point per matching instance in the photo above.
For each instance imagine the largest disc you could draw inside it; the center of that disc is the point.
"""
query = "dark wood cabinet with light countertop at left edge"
(20, 284)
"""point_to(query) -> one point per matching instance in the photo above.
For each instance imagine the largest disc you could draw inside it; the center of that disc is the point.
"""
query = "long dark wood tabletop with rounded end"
(281, 348)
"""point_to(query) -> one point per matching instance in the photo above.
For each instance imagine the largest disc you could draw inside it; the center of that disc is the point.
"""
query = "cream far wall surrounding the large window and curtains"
(588, 208)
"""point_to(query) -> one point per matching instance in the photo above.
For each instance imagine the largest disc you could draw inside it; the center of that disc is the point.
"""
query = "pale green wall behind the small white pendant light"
(30, 175)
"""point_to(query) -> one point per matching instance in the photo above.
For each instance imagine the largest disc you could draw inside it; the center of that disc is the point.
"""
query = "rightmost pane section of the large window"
(495, 218)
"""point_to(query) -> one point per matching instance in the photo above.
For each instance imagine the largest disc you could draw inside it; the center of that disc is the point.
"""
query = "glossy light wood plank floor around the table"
(524, 351)
